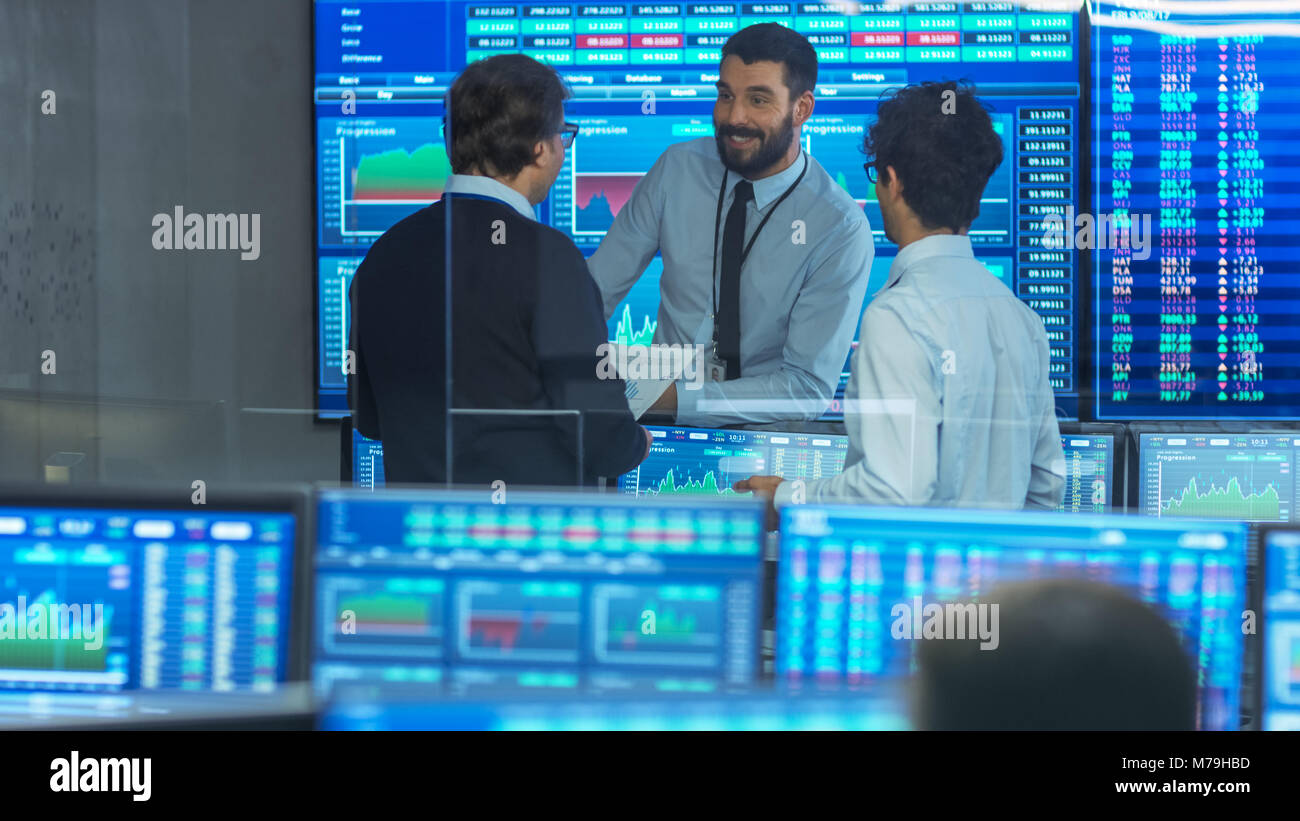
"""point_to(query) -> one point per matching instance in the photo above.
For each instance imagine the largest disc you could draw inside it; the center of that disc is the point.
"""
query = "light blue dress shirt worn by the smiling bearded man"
(801, 289)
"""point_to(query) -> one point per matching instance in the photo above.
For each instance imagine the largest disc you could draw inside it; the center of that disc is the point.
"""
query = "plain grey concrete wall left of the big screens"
(171, 364)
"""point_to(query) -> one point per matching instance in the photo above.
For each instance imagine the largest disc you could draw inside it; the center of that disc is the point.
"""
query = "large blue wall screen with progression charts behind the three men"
(643, 79)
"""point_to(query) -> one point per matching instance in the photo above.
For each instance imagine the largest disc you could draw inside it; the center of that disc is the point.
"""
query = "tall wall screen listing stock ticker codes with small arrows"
(1198, 138)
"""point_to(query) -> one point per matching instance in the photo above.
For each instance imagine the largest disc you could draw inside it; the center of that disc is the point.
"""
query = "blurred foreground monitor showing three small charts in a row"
(449, 593)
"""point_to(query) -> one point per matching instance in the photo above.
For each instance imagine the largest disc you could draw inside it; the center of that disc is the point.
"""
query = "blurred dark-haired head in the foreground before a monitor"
(1072, 655)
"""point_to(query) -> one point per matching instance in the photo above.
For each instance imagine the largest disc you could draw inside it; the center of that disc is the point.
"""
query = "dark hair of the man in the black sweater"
(500, 108)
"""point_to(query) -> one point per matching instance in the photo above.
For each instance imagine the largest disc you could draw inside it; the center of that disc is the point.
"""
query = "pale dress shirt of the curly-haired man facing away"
(948, 401)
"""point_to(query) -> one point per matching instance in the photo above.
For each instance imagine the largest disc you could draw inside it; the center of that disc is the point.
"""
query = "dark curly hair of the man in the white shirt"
(941, 141)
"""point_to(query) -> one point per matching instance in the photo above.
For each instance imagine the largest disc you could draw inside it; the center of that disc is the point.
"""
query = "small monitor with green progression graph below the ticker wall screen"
(1237, 477)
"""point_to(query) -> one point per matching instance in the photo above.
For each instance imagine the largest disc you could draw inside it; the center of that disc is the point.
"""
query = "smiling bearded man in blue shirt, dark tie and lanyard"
(765, 258)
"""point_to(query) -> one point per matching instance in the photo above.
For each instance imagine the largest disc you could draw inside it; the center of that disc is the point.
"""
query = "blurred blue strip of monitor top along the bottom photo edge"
(367, 710)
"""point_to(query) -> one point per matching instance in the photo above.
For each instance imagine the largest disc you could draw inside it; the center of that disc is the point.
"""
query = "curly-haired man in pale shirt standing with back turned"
(948, 402)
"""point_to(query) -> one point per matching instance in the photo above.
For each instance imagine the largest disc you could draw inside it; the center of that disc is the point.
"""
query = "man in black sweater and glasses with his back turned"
(526, 314)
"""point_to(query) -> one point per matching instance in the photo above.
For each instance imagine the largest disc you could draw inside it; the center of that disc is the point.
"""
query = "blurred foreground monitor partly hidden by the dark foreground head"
(855, 579)
